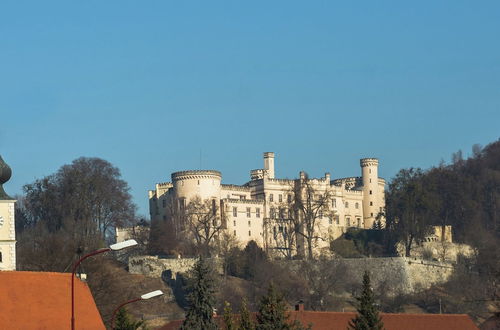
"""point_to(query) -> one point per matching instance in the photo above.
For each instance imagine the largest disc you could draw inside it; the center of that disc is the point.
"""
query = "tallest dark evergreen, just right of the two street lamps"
(200, 299)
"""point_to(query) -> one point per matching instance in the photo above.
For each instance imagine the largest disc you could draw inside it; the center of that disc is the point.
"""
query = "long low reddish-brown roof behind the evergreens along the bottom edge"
(339, 320)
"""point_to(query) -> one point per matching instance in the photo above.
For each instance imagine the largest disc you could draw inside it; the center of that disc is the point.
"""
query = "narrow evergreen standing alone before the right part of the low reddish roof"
(368, 317)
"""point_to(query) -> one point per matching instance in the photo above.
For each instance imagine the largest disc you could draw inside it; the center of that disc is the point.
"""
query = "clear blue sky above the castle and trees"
(152, 85)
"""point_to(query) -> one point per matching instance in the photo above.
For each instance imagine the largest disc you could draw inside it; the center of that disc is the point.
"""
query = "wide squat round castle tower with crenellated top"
(202, 183)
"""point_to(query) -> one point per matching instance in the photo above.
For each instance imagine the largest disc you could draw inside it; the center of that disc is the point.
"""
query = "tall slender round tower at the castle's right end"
(369, 174)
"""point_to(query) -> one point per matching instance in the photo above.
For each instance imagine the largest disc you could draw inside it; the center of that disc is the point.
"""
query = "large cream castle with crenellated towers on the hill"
(259, 209)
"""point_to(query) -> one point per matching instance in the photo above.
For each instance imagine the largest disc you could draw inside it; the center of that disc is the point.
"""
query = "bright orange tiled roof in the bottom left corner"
(42, 300)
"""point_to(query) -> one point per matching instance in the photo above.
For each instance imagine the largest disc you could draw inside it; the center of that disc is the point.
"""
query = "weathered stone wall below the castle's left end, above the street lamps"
(166, 268)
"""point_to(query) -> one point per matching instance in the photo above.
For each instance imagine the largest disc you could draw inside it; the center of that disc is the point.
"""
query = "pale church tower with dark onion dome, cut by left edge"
(7, 223)
